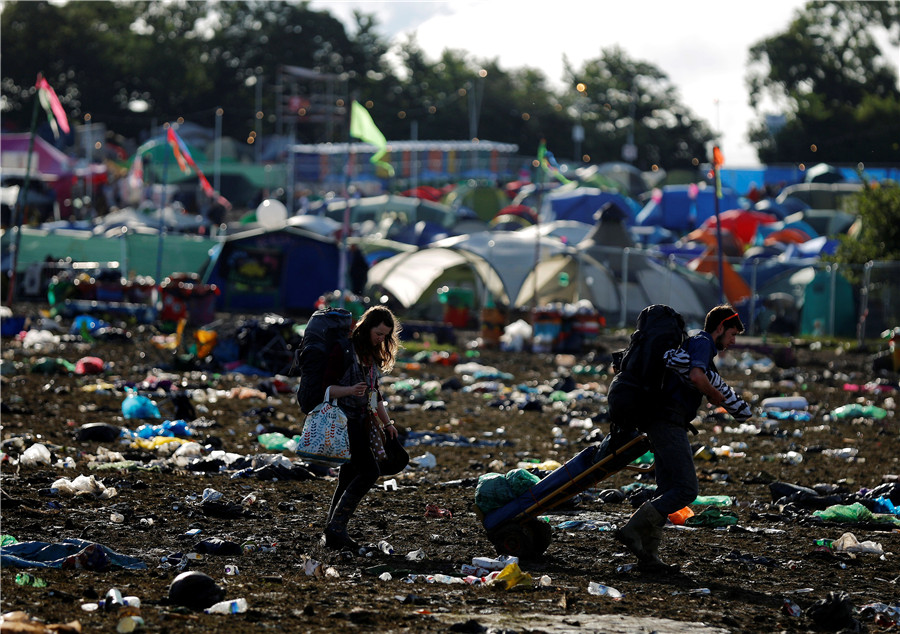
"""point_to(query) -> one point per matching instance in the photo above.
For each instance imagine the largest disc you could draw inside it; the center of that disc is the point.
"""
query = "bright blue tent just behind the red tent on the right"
(678, 211)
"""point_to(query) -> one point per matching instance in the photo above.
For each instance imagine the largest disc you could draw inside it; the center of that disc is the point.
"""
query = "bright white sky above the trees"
(701, 46)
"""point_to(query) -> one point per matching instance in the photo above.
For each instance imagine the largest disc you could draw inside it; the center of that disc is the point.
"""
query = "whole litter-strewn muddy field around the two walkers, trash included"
(143, 487)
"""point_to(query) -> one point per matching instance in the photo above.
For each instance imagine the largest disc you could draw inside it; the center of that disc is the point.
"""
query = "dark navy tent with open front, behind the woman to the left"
(284, 269)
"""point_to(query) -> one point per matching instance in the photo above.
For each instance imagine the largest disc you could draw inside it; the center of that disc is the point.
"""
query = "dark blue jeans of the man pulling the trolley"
(676, 477)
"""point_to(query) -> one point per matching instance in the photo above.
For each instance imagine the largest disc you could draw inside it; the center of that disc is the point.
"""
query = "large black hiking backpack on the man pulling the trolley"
(641, 367)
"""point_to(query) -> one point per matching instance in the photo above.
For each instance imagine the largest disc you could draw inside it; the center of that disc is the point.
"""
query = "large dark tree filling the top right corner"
(833, 82)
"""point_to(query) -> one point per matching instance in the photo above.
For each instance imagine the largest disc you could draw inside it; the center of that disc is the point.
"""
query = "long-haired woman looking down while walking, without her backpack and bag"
(375, 342)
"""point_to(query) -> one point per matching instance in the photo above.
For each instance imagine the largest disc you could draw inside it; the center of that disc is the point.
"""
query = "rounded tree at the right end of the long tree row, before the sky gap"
(624, 100)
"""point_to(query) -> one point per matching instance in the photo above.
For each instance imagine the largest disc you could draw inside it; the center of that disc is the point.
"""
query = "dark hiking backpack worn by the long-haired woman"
(326, 328)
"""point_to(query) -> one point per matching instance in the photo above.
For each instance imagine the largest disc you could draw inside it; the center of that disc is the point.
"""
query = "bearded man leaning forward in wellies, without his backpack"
(667, 430)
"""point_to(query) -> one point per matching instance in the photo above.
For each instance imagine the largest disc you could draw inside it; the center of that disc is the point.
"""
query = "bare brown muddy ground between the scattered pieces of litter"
(733, 579)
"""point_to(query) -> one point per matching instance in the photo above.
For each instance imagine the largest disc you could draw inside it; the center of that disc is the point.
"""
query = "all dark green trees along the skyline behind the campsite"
(131, 65)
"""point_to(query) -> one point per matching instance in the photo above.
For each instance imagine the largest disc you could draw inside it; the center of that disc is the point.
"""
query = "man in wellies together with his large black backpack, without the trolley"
(664, 411)
